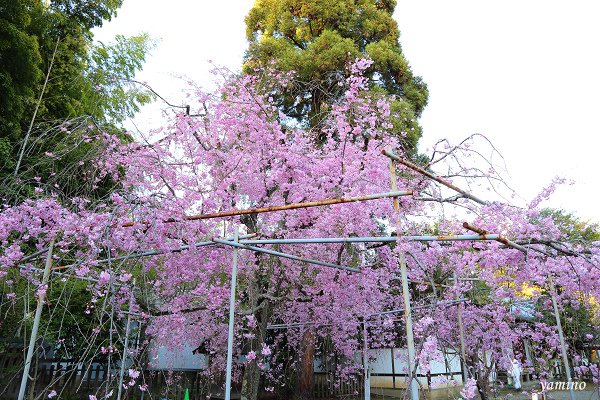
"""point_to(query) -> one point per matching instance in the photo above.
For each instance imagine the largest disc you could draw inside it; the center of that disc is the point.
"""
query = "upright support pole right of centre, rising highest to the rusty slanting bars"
(410, 342)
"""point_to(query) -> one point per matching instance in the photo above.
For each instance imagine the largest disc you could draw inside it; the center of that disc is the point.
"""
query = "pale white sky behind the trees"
(525, 73)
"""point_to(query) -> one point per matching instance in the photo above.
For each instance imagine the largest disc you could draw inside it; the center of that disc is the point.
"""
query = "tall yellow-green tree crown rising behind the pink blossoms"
(318, 38)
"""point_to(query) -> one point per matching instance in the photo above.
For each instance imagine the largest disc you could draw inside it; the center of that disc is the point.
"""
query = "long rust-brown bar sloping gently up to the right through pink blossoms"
(292, 206)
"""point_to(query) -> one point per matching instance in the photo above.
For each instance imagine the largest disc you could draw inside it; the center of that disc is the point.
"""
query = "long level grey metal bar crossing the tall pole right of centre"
(375, 239)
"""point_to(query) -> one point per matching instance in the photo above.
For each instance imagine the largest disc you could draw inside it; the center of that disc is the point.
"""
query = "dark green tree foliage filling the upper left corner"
(47, 53)
